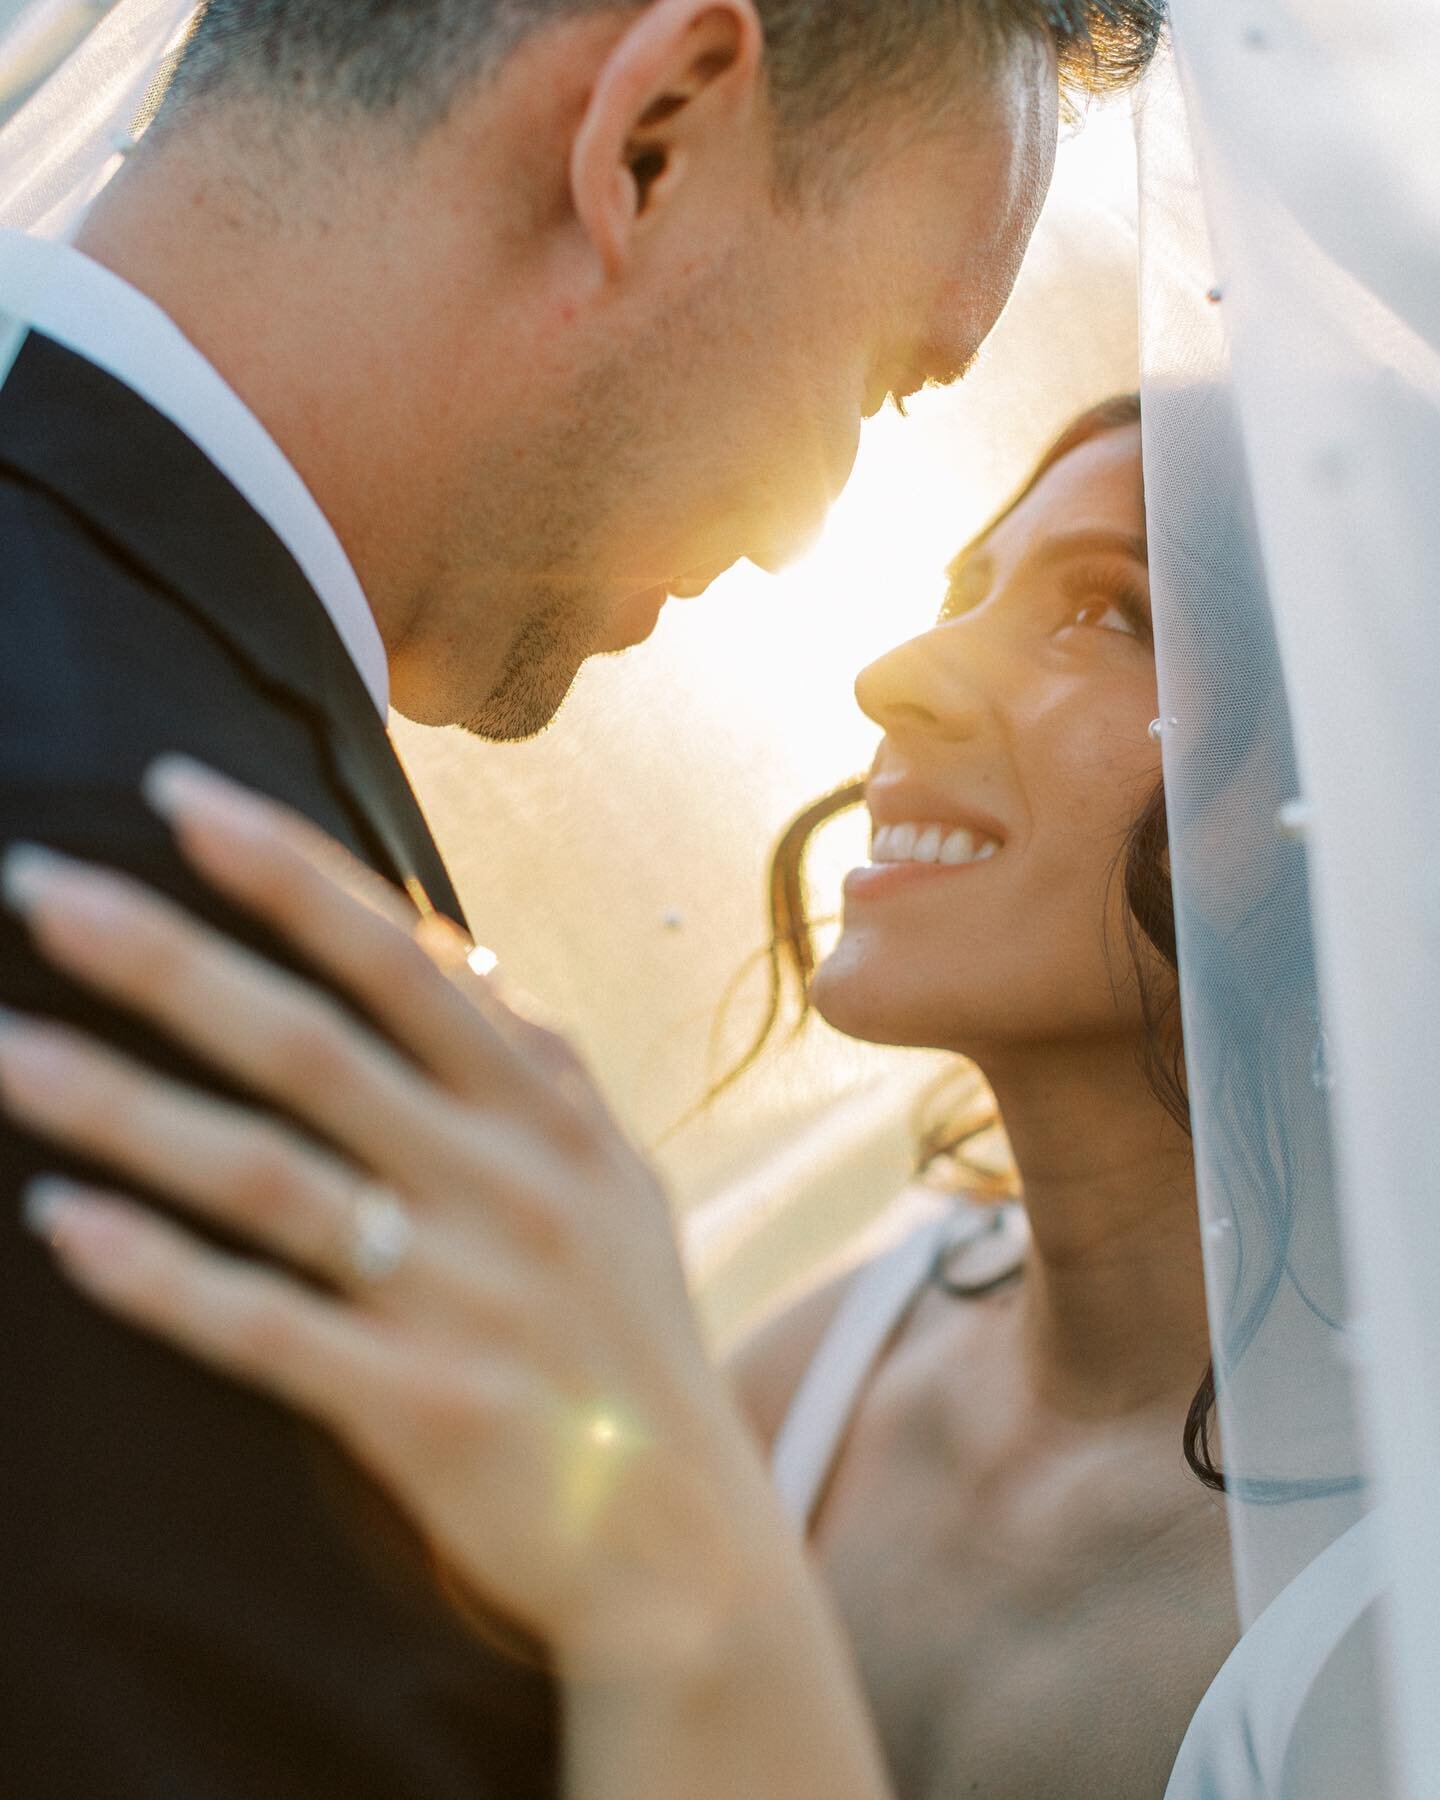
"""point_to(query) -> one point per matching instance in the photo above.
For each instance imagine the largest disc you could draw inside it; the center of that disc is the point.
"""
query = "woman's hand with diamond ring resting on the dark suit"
(492, 1317)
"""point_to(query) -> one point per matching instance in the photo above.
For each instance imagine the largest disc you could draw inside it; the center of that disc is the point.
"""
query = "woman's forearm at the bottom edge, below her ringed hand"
(768, 1711)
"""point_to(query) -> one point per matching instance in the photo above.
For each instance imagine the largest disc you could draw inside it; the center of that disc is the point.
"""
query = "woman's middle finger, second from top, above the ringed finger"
(260, 1025)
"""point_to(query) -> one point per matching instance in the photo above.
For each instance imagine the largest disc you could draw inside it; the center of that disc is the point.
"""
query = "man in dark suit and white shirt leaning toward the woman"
(415, 357)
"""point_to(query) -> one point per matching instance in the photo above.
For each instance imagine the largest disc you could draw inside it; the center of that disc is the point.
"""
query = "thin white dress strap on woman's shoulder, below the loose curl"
(863, 1326)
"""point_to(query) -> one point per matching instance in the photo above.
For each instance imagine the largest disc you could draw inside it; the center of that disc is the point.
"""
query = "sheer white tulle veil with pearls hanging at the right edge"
(1290, 237)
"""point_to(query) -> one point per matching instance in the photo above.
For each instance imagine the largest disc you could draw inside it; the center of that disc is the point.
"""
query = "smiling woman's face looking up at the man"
(1016, 759)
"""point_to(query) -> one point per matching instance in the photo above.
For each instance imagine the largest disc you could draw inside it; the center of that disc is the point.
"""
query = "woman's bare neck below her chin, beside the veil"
(1113, 1315)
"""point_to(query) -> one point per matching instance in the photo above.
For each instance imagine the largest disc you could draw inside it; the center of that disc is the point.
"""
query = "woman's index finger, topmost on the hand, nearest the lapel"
(409, 971)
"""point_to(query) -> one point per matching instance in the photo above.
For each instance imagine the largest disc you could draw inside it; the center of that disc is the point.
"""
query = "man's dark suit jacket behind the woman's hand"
(199, 1597)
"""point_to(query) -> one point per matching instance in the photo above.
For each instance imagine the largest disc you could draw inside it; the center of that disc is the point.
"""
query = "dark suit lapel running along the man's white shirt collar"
(166, 508)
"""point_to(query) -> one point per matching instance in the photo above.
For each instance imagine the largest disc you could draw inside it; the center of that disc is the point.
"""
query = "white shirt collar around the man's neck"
(93, 312)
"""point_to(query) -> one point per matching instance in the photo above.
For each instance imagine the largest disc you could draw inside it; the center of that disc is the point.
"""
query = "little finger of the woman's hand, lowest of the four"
(247, 1322)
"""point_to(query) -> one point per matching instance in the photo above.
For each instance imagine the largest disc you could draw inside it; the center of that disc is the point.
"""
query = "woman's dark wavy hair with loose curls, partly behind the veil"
(1266, 1113)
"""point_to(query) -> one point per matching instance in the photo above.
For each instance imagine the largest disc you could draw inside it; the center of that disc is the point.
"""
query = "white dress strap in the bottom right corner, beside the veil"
(1241, 1738)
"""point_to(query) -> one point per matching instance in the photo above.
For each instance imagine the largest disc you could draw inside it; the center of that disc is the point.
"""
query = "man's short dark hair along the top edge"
(822, 55)
